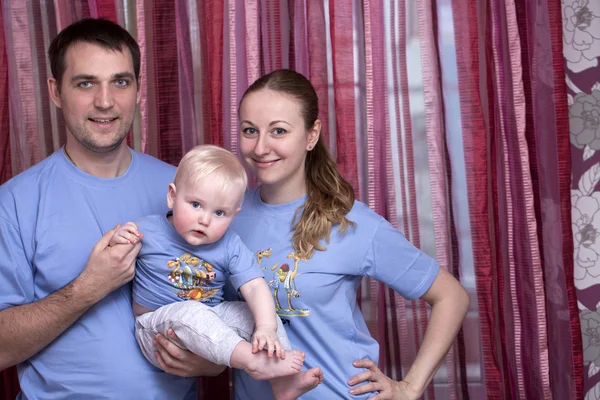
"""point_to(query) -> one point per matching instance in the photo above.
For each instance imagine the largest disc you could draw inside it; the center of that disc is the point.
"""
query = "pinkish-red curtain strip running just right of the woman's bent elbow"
(474, 137)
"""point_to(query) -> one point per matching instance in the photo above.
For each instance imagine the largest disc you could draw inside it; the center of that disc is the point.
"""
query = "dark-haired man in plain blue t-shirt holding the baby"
(65, 297)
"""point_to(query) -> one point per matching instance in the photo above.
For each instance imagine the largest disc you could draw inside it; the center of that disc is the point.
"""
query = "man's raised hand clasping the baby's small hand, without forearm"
(108, 268)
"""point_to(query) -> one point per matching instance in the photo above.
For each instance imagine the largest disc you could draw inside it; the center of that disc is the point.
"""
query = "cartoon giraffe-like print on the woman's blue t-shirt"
(283, 275)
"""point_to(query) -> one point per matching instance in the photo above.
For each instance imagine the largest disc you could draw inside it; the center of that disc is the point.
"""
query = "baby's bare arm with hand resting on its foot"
(260, 301)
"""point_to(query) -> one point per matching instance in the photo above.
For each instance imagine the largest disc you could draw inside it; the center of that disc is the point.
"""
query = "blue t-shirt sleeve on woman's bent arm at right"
(393, 260)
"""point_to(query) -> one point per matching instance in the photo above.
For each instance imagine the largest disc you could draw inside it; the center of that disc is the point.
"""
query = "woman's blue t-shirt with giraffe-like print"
(316, 298)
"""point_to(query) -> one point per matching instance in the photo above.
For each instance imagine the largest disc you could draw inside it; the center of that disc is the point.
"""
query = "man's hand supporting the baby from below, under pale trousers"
(177, 361)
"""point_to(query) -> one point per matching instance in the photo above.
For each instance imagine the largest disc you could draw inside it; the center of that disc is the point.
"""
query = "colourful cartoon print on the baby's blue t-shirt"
(191, 276)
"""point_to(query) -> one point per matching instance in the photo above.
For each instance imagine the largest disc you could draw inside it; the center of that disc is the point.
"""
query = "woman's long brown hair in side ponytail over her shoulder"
(329, 196)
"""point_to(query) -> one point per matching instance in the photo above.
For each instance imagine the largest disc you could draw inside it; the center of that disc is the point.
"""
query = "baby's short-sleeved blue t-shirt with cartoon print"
(169, 269)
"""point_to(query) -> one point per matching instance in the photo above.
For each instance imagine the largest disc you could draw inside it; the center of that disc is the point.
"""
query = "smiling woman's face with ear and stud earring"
(274, 140)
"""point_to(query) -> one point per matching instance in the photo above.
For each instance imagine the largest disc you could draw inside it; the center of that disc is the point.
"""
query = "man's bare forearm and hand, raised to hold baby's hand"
(29, 328)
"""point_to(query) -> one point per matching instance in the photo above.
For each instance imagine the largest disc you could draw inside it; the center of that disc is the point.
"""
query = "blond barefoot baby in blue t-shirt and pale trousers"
(187, 256)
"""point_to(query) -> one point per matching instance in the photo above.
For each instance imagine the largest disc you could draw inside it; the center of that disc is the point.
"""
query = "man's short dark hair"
(101, 32)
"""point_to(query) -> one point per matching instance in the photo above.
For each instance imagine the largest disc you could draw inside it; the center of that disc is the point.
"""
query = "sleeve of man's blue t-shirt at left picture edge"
(16, 276)
